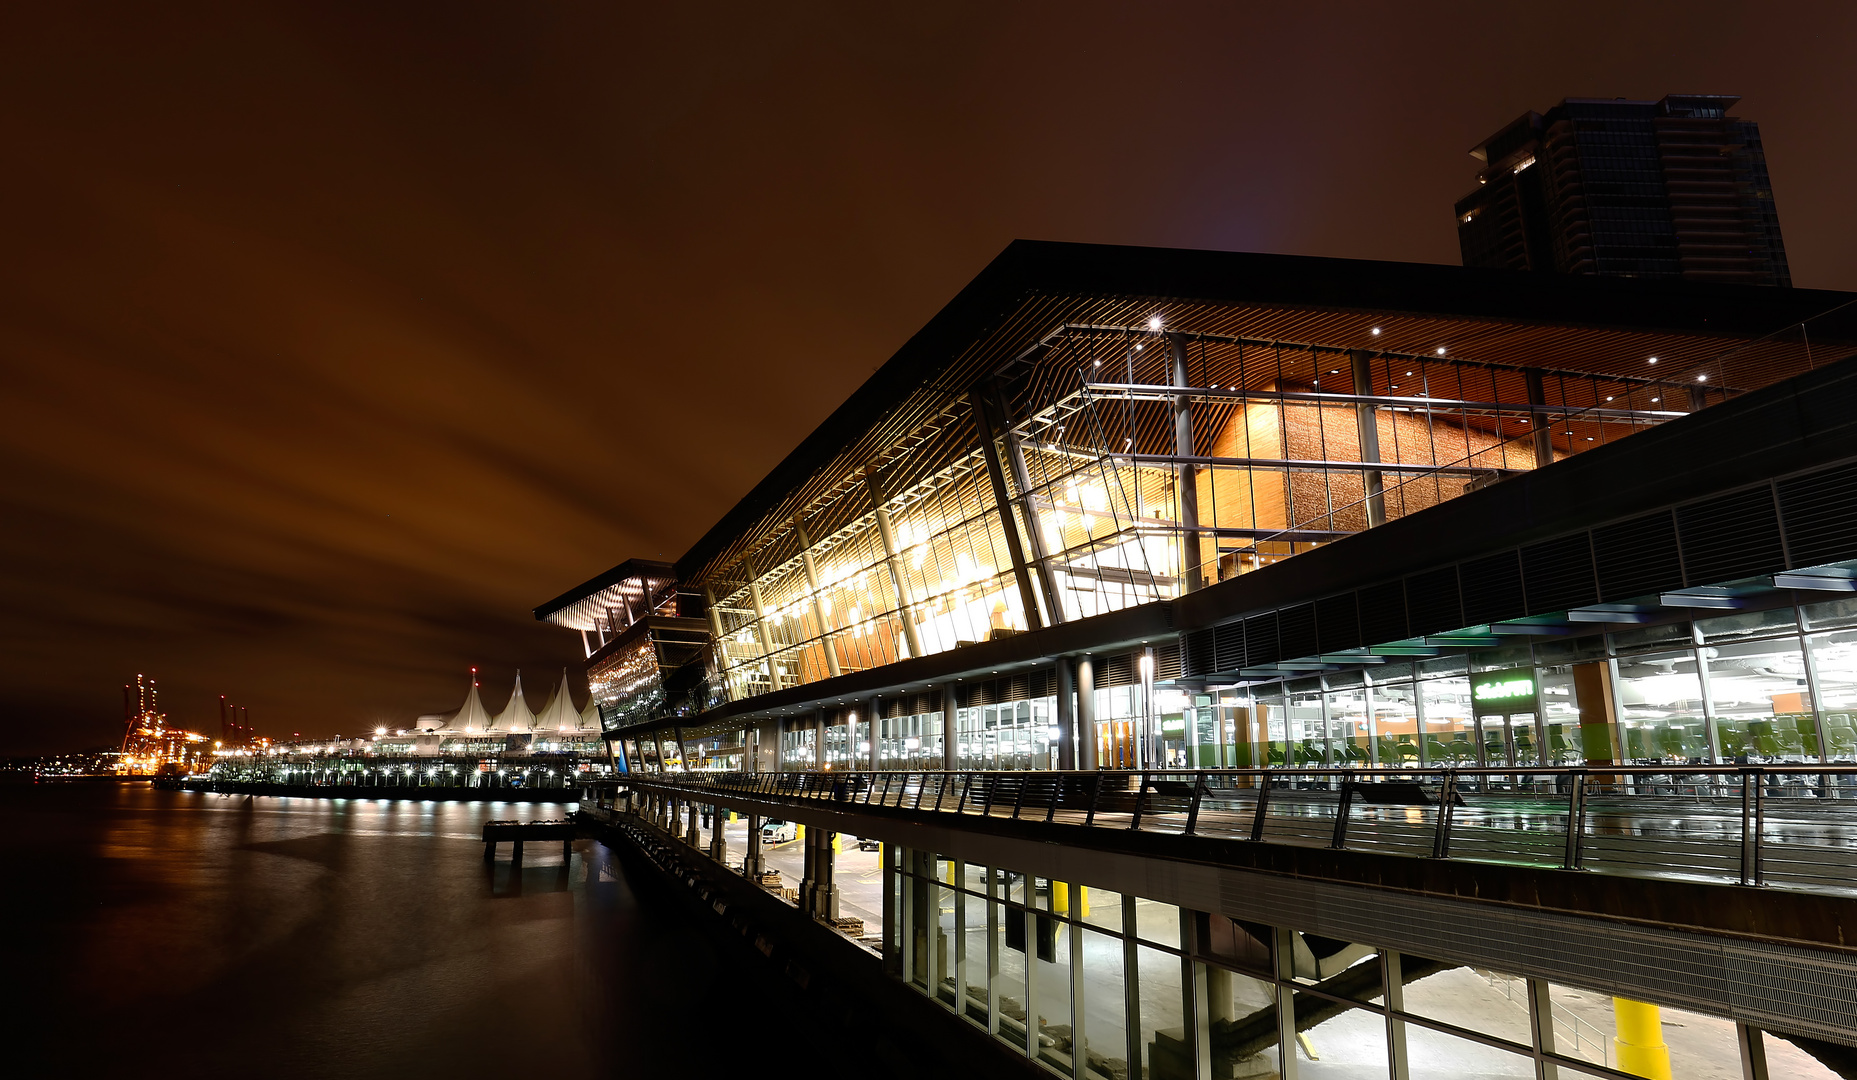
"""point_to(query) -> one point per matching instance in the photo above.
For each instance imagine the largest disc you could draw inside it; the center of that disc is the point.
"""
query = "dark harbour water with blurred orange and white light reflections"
(209, 936)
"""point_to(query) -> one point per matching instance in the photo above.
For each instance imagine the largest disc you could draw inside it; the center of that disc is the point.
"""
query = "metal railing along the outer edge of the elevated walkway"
(1793, 827)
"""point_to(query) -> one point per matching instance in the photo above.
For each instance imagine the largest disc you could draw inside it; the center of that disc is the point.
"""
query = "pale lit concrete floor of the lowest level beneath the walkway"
(1349, 1046)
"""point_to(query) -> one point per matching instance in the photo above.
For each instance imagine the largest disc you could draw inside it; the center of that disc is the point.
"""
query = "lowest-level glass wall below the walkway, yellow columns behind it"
(1108, 986)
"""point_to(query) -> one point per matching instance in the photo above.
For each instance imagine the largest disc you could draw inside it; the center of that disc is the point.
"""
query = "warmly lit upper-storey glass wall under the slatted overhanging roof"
(1130, 459)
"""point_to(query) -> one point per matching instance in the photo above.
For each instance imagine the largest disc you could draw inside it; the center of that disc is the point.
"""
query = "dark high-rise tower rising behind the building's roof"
(1670, 188)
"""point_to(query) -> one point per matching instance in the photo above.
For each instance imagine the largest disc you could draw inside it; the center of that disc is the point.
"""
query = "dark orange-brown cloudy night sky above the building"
(335, 339)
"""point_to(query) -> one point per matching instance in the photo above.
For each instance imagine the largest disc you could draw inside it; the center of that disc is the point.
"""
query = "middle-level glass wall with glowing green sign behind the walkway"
(1750, 688)
